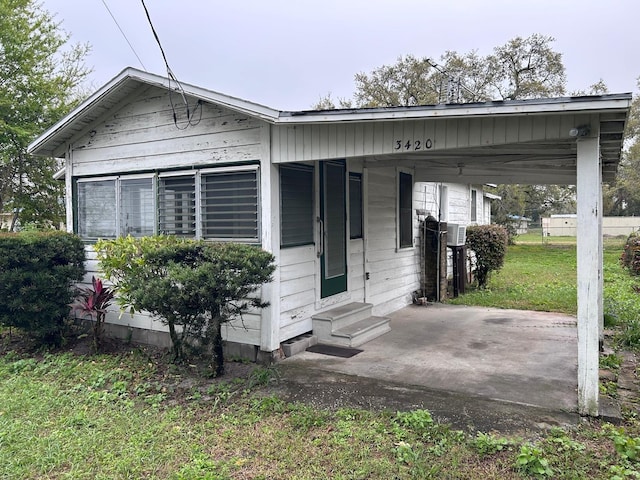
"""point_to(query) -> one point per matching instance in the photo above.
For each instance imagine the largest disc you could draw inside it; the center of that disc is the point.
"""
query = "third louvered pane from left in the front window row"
(177, 205)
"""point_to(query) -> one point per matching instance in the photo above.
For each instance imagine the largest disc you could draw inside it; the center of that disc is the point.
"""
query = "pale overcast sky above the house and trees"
(286, 54)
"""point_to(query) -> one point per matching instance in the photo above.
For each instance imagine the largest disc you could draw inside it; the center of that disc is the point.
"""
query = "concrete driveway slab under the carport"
(482, 368)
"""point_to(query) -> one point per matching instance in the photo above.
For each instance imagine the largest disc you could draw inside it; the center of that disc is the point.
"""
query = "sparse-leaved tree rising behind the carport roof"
(521, 68)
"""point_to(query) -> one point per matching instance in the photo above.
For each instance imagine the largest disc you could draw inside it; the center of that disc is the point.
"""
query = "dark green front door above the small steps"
(333, 229)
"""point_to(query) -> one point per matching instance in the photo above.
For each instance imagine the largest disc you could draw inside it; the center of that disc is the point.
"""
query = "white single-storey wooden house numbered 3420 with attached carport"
(332, 194)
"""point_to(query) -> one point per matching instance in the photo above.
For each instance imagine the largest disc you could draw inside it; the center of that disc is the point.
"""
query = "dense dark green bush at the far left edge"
(37, 270)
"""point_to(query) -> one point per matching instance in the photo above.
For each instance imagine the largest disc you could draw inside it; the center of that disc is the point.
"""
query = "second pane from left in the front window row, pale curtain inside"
(137, 207)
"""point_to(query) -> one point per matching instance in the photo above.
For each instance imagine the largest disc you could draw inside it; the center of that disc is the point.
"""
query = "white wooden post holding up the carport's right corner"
(589, 200)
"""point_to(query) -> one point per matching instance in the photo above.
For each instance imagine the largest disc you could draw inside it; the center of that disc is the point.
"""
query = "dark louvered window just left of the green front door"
(296, 205)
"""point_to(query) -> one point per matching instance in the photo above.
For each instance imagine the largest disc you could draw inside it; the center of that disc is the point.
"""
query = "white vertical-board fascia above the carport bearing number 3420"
(295, 143)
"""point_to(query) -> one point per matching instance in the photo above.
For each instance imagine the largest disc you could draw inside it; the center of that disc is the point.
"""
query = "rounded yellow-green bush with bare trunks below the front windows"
(193, 284)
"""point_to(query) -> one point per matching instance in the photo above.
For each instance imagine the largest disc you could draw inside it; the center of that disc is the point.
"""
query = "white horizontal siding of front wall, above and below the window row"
(142, 136)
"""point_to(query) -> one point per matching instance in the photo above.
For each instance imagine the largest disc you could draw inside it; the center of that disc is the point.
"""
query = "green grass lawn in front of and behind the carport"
(130, 415)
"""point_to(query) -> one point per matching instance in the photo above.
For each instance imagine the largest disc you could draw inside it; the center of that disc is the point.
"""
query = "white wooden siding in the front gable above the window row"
(142, 136)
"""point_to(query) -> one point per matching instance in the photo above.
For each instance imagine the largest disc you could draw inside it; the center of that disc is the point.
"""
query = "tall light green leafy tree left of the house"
(40, 77)
